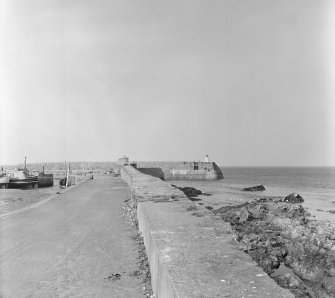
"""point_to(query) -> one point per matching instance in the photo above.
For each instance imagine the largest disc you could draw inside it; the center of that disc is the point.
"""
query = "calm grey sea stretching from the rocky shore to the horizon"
(315, 184)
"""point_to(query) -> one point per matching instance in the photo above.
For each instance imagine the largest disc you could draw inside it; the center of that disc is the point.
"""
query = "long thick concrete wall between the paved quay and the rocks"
(192, 252)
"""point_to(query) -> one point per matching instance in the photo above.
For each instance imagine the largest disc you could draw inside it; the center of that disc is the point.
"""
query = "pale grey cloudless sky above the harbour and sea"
(248, 82)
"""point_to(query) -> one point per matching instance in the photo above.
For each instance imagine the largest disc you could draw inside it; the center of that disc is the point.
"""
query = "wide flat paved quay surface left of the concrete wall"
(69, 246)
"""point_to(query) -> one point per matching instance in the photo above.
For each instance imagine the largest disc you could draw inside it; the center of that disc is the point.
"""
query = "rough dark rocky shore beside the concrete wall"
(297, 252)
